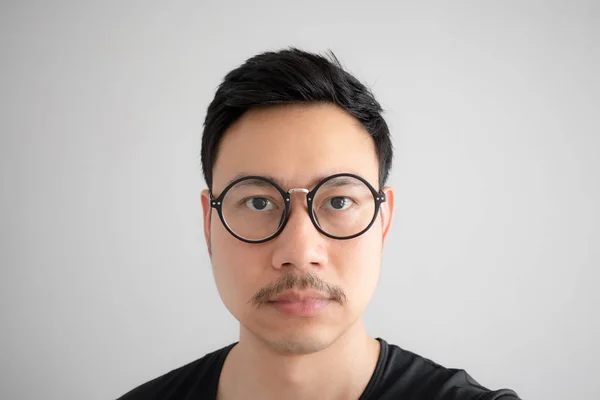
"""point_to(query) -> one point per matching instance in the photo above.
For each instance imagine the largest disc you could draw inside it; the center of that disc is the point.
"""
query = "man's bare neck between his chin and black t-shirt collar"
(253, 369)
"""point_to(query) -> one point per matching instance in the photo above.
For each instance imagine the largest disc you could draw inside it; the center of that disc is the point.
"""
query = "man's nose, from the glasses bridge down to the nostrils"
(299, 245)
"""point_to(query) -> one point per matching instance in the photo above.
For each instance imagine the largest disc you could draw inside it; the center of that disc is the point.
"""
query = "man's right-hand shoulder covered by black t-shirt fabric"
(403, 373)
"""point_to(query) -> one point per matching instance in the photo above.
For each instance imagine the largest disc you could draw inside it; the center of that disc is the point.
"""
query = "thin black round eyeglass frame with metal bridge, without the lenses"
(216, 203)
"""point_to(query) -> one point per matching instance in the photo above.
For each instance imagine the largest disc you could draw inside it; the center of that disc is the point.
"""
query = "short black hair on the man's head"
(292, 76)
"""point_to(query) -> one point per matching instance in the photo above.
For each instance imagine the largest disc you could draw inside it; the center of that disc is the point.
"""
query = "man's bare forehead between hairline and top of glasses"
(297, 144)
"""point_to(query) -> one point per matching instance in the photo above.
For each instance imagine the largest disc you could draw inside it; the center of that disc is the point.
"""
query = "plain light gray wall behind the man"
(491, 266)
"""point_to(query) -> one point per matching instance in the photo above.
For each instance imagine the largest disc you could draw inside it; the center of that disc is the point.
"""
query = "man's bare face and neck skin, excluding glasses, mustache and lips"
(328, 355)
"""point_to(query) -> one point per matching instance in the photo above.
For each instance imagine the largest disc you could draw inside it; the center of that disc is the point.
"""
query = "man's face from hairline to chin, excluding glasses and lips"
(296, 144)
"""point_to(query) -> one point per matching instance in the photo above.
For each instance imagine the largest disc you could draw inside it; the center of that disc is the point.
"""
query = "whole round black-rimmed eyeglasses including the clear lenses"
(255, 209)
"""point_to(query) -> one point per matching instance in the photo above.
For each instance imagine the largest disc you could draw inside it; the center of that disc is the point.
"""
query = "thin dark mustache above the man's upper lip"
(289, 281)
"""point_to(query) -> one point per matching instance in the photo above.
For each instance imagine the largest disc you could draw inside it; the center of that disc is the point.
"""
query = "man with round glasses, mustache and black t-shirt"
(296, 154)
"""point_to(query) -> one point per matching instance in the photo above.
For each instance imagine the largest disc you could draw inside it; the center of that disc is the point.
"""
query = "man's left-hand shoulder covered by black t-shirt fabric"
(195, 378)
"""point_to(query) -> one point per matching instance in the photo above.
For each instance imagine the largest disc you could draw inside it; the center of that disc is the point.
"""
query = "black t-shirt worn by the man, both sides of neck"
(399, 374)
